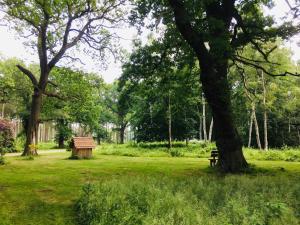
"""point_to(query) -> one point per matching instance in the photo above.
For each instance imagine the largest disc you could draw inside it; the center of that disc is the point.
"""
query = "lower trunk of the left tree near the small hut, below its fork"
(33, 120)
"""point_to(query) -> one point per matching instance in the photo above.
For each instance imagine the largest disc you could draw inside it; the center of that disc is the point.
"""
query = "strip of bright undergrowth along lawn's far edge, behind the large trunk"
(195, 150)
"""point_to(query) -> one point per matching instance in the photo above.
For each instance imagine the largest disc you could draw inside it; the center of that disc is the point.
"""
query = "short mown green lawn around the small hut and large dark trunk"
(44, 190)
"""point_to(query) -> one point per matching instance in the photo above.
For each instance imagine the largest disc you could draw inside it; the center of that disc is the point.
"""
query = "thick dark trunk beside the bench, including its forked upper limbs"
(213, 76)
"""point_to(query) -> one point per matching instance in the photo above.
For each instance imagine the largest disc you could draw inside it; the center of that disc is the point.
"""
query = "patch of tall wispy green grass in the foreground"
(257, 200)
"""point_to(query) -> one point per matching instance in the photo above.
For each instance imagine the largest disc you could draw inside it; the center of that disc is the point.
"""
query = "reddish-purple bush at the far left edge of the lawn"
(6, 137)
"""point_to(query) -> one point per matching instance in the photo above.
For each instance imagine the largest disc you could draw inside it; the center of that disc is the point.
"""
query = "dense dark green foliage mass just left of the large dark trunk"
(153, 81)
